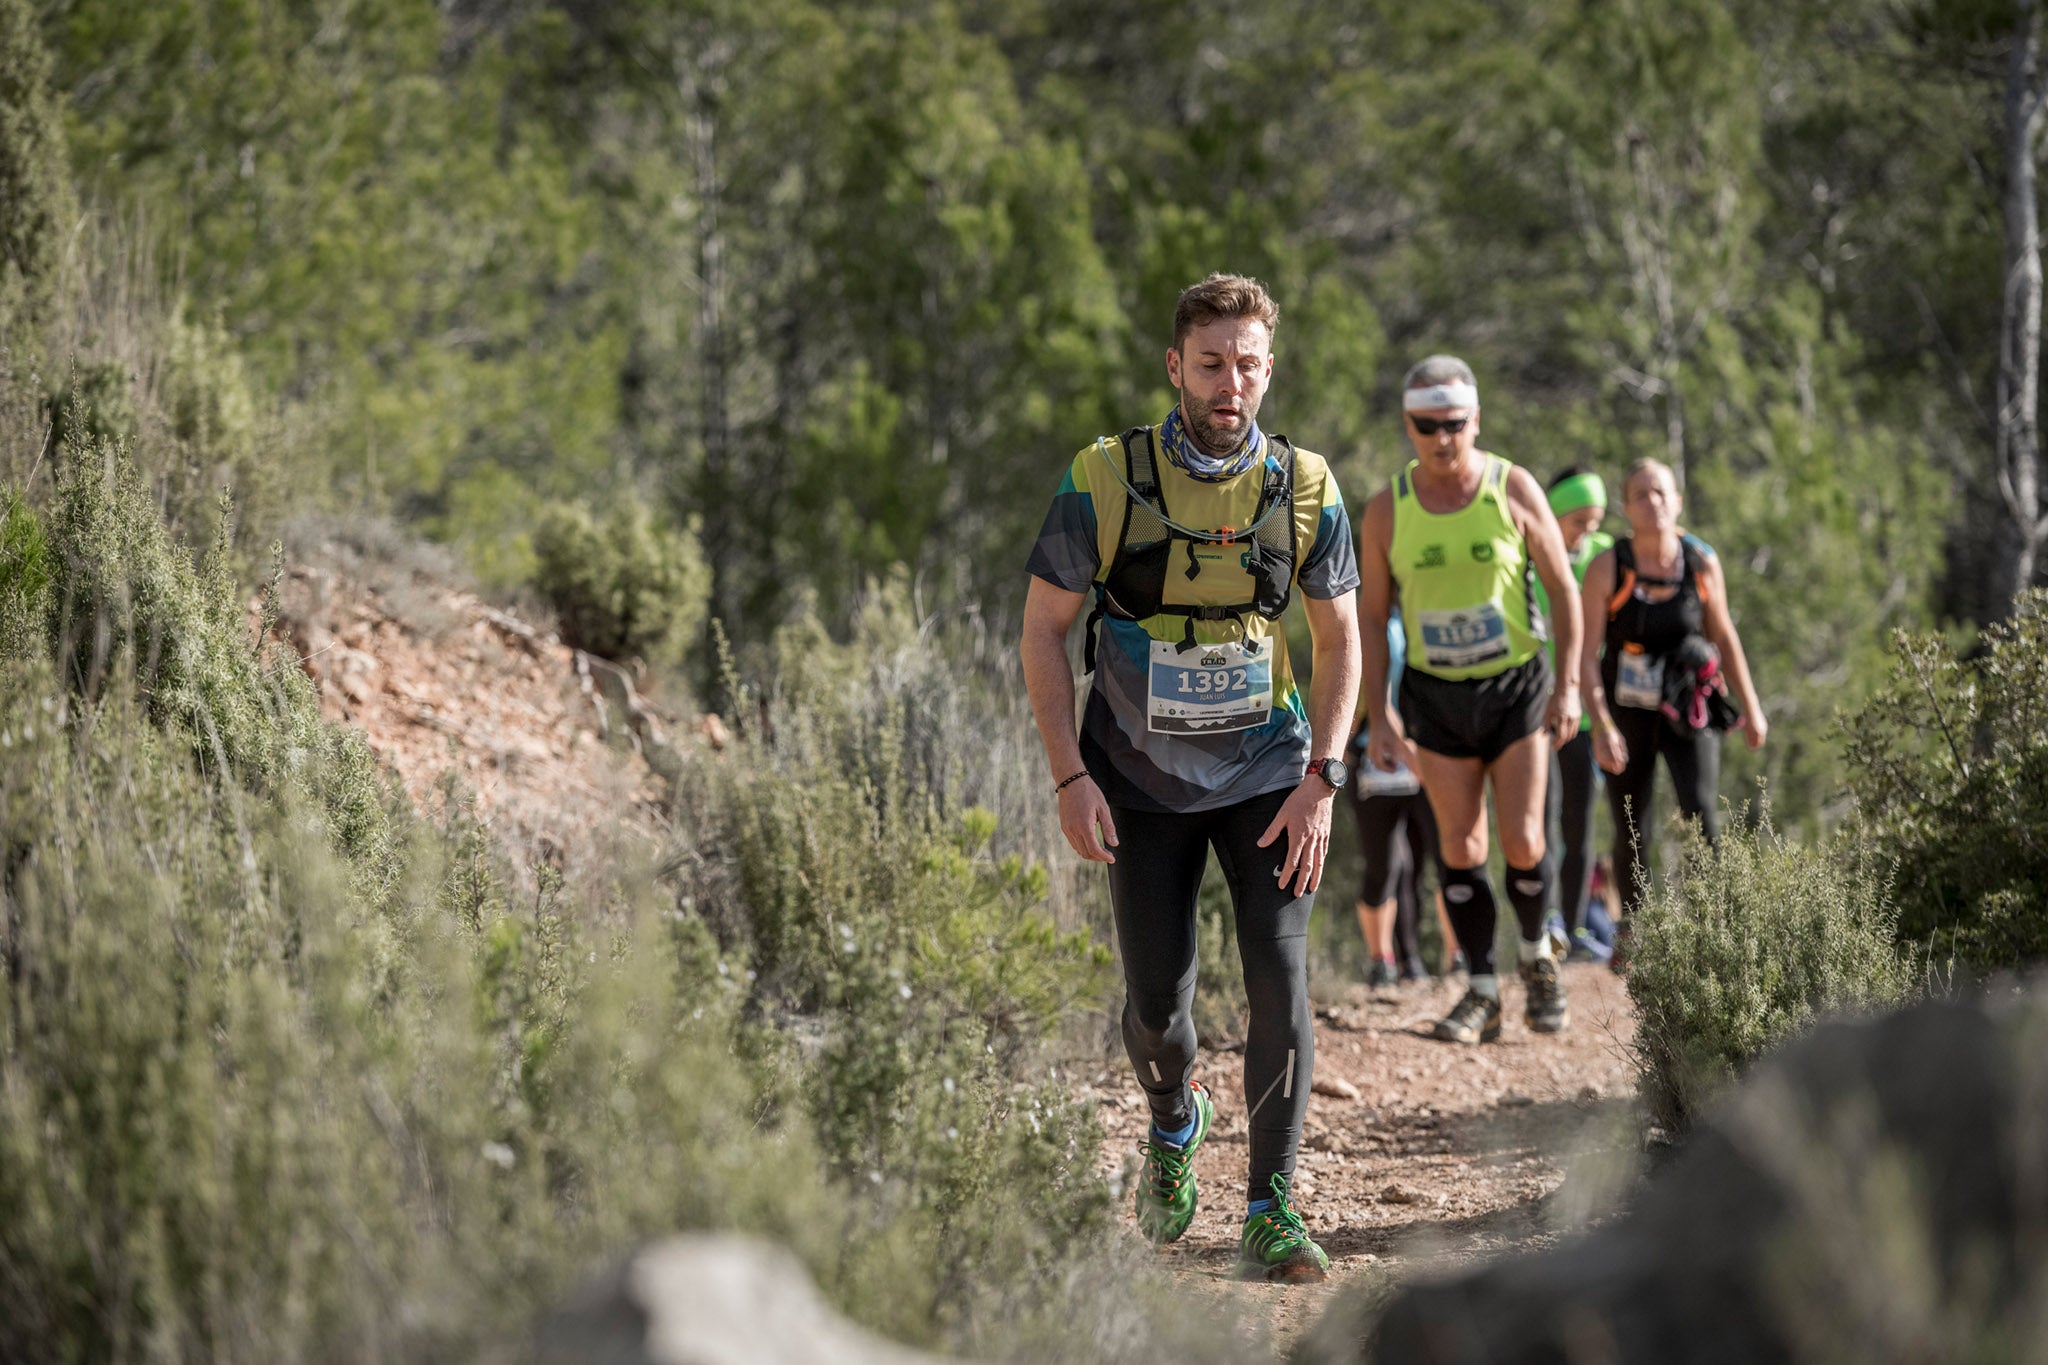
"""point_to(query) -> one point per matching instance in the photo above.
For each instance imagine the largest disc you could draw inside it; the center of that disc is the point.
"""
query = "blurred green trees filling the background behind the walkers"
(837, 288)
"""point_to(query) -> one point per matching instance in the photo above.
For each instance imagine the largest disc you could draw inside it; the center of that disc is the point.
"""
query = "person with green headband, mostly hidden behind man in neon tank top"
(1580, 502)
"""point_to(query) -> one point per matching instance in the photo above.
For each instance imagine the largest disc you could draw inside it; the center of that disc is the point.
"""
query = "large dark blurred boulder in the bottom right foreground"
(1877, 1192)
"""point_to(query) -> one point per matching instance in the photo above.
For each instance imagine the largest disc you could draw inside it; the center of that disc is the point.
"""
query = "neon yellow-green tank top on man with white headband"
(1465, 582)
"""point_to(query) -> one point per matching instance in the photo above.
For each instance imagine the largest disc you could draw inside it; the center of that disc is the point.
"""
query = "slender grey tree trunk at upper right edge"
(2020, 333)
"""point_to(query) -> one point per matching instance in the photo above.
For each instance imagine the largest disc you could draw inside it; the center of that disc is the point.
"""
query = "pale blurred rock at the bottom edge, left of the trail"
(710, 1301)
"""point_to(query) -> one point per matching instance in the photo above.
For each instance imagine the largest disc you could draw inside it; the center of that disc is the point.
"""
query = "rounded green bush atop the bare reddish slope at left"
(626, 586)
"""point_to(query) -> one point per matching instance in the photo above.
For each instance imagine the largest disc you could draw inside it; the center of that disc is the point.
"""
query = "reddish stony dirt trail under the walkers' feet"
(1449, 1153)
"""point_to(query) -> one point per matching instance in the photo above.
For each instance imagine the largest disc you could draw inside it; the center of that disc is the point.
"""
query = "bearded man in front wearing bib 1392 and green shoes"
(1193, 537)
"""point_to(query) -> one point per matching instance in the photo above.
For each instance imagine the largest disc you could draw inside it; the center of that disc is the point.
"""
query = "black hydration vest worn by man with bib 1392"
(1136, 584)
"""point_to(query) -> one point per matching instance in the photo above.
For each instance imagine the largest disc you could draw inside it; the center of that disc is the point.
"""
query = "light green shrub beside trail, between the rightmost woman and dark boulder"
(1744, 949)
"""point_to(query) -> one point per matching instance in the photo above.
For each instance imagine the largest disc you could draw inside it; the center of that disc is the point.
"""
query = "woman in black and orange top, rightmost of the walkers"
(1660, 674)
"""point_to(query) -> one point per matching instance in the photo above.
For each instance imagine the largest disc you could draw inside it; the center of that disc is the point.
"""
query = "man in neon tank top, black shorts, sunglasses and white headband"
(1455, 543)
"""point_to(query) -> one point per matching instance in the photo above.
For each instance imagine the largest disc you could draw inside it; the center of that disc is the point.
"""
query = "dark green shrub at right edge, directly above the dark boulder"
(1951, 775)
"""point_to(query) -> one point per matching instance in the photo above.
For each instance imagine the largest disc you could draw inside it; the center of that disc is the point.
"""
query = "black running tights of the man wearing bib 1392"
(1154, 885)
